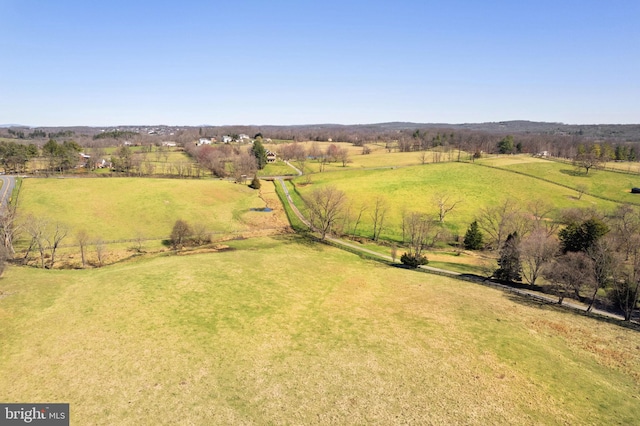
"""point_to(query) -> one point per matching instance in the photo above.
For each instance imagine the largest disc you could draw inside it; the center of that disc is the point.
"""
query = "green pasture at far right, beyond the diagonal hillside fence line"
(602, 183)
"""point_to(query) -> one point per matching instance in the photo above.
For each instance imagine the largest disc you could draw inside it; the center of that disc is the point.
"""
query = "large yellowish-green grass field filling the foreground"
(279, 331)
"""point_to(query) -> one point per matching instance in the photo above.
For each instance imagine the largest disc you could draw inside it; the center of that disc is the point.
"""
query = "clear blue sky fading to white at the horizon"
(113, 62)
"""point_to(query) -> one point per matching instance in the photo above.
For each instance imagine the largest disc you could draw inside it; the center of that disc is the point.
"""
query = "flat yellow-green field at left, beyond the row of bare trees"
(125, 208)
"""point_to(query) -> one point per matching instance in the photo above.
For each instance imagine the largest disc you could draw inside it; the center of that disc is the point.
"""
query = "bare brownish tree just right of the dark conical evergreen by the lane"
(537, 250)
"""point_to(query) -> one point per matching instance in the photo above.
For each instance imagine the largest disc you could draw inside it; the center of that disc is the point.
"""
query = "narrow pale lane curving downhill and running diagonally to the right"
(522, 292)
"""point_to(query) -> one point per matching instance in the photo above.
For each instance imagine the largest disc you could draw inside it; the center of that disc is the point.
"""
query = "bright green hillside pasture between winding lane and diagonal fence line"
(414, 189)
